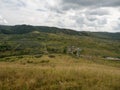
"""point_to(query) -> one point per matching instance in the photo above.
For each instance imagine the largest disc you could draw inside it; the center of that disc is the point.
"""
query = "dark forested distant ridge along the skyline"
(23, 29)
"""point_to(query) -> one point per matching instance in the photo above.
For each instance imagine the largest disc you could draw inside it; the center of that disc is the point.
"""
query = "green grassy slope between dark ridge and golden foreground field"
(37, 42)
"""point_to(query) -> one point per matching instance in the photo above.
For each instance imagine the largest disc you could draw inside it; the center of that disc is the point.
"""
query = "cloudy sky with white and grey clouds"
(80, 15)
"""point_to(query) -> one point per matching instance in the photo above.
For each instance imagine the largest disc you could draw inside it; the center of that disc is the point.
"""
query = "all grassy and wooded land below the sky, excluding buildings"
(36, 58)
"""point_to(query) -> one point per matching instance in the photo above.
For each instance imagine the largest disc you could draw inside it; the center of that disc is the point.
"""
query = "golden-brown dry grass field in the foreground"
(58, 73)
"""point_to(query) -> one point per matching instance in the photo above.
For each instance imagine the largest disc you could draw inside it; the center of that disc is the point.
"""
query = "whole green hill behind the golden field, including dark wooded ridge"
(26, 39)
